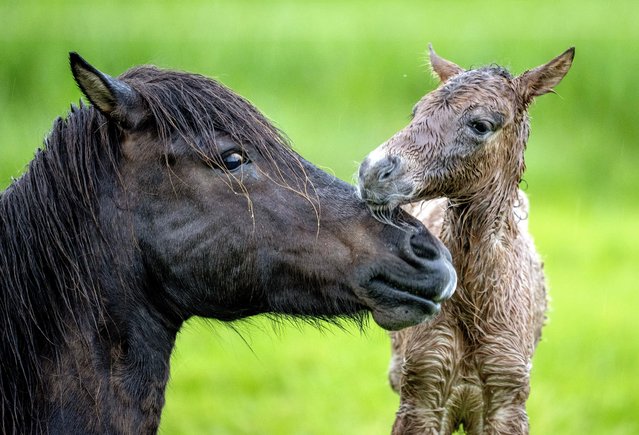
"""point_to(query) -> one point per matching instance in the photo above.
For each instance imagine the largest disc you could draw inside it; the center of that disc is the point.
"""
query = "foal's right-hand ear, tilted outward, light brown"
(544, 78)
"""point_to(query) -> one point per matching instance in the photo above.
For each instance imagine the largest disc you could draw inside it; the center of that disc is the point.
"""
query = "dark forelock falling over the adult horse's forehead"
(199, 110)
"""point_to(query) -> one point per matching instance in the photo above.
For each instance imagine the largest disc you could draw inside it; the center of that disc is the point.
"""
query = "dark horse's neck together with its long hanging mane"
(82, 348)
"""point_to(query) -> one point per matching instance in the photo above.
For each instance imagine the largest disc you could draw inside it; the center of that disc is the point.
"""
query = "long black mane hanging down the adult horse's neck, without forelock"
(49, 255)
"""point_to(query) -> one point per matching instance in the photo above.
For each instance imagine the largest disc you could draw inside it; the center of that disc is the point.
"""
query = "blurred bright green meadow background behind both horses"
(339, 77)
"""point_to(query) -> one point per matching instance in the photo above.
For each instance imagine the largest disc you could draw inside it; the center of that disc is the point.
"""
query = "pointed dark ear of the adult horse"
(111, 96)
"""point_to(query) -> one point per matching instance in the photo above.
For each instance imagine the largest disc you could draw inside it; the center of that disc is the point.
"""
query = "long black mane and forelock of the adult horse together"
(54, 253)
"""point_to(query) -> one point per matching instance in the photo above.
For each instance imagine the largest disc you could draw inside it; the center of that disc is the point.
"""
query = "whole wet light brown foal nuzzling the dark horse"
(471, 365)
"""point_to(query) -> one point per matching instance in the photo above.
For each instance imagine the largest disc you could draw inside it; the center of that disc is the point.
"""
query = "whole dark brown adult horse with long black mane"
(171, 197)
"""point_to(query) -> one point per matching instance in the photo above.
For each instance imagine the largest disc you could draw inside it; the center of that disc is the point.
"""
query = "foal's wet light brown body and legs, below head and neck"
(471, 365)
